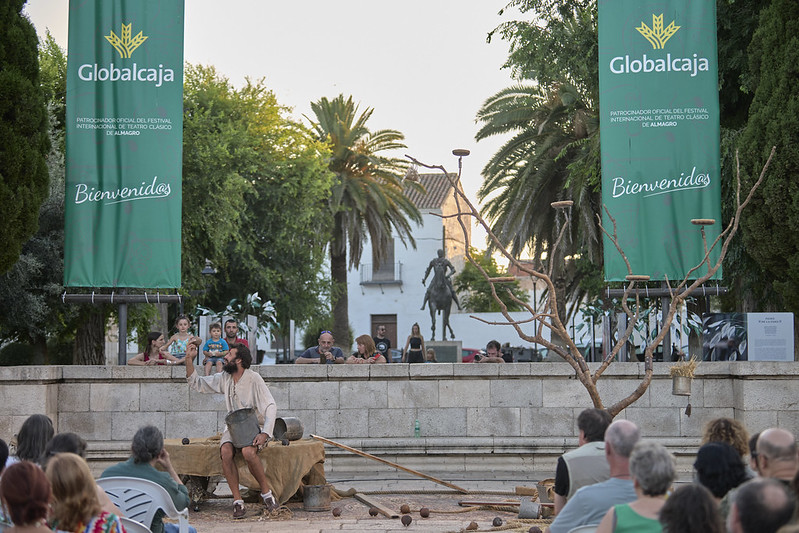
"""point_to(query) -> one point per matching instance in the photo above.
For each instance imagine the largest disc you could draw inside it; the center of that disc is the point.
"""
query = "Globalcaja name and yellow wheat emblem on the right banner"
(658, 36)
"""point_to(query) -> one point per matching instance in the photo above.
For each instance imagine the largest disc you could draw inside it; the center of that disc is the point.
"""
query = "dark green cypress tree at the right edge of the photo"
(769, 228)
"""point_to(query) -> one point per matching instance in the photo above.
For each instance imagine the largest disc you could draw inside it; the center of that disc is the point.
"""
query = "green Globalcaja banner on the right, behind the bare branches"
(659, 127)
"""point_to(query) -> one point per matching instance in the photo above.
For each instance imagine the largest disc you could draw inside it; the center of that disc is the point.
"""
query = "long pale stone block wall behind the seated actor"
(510, 416)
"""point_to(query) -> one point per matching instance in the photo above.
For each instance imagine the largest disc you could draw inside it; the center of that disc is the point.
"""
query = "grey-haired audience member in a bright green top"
(652, 470)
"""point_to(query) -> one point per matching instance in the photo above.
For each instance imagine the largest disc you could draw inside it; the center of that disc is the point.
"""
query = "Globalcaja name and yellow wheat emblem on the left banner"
(126, 45)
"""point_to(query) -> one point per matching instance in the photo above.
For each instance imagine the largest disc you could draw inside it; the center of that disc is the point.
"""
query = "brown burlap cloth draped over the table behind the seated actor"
(286, 467)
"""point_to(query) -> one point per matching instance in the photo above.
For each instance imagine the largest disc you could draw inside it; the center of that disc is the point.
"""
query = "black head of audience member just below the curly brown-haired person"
(719, 468)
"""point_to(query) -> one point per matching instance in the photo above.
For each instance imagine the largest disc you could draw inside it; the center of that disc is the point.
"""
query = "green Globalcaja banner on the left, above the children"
(124, 144)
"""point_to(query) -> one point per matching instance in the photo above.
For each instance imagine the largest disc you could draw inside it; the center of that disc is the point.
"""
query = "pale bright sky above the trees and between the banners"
(424, 66)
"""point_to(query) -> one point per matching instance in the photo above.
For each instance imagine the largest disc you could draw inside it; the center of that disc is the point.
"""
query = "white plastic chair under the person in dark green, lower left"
(139, 499)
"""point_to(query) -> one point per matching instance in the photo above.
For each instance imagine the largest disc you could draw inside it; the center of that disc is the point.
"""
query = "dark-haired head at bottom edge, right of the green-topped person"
(691, 509)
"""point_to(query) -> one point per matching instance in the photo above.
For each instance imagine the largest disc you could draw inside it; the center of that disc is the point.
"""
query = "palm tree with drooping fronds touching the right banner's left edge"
(553, 155)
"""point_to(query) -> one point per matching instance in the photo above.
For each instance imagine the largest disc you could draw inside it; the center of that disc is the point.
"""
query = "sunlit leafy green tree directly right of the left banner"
(255, 190)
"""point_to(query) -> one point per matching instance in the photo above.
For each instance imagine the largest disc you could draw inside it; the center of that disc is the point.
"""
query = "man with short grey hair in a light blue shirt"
(590, 503)
